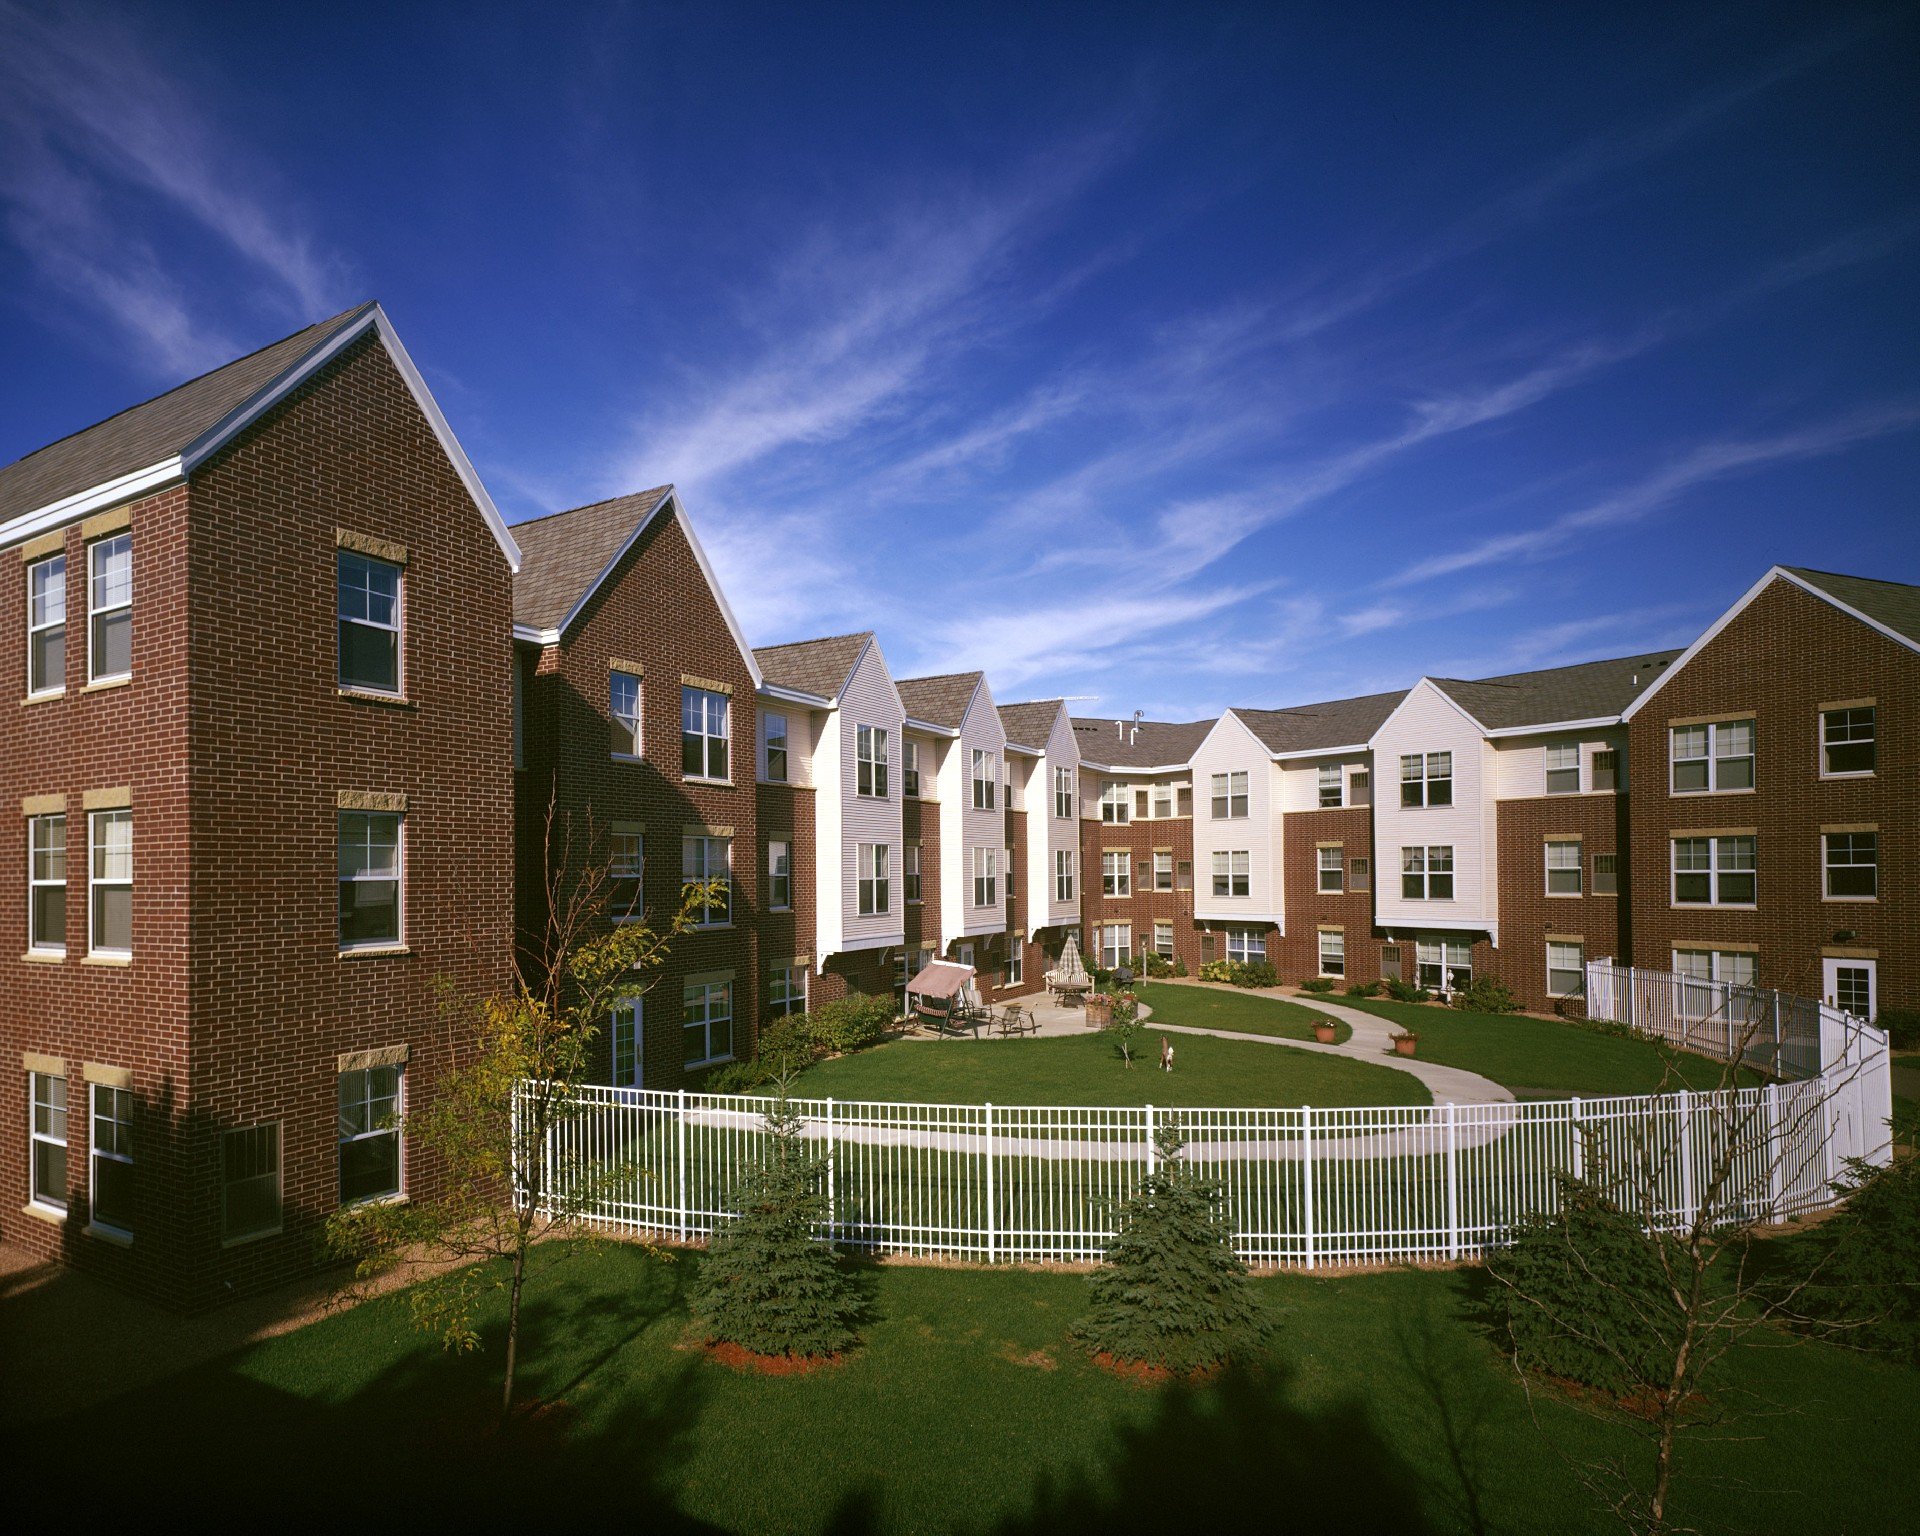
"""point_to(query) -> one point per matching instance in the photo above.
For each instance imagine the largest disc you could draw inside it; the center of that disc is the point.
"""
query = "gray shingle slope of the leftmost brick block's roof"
(156, 429)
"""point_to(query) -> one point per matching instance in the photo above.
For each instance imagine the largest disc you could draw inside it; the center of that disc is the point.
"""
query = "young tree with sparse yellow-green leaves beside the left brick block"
(492, 1122)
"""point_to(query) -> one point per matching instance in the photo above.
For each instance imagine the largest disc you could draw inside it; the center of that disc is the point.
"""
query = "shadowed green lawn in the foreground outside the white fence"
(1380, 1406)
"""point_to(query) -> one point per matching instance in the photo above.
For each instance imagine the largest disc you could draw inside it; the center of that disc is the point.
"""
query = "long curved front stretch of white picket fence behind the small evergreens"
(1301, 1188)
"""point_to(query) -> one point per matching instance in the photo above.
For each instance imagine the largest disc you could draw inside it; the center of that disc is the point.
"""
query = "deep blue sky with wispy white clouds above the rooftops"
(1174, 358)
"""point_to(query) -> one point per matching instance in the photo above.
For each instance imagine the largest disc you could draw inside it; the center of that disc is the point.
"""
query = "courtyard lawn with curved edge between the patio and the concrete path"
(1084, 1070)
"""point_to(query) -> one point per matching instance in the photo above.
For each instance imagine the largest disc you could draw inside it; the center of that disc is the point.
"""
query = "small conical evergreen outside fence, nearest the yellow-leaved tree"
(767, 1284)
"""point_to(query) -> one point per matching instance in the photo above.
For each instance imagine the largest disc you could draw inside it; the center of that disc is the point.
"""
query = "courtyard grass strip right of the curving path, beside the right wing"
(1545, 1059)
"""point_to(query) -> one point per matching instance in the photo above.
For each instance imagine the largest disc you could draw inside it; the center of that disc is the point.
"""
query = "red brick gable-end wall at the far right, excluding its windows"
(1779, 661)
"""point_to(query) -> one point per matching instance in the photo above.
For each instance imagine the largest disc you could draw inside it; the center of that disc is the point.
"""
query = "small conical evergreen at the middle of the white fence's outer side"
(1172, 1291)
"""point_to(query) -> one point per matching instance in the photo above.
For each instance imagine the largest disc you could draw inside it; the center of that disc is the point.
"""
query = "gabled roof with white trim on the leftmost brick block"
(166, 439)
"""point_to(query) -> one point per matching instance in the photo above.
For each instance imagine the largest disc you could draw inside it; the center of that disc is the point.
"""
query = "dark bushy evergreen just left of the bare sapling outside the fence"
(1581, 1295)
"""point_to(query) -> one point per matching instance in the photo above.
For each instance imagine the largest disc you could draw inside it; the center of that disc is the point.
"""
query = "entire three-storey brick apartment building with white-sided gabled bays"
(237, 886)
